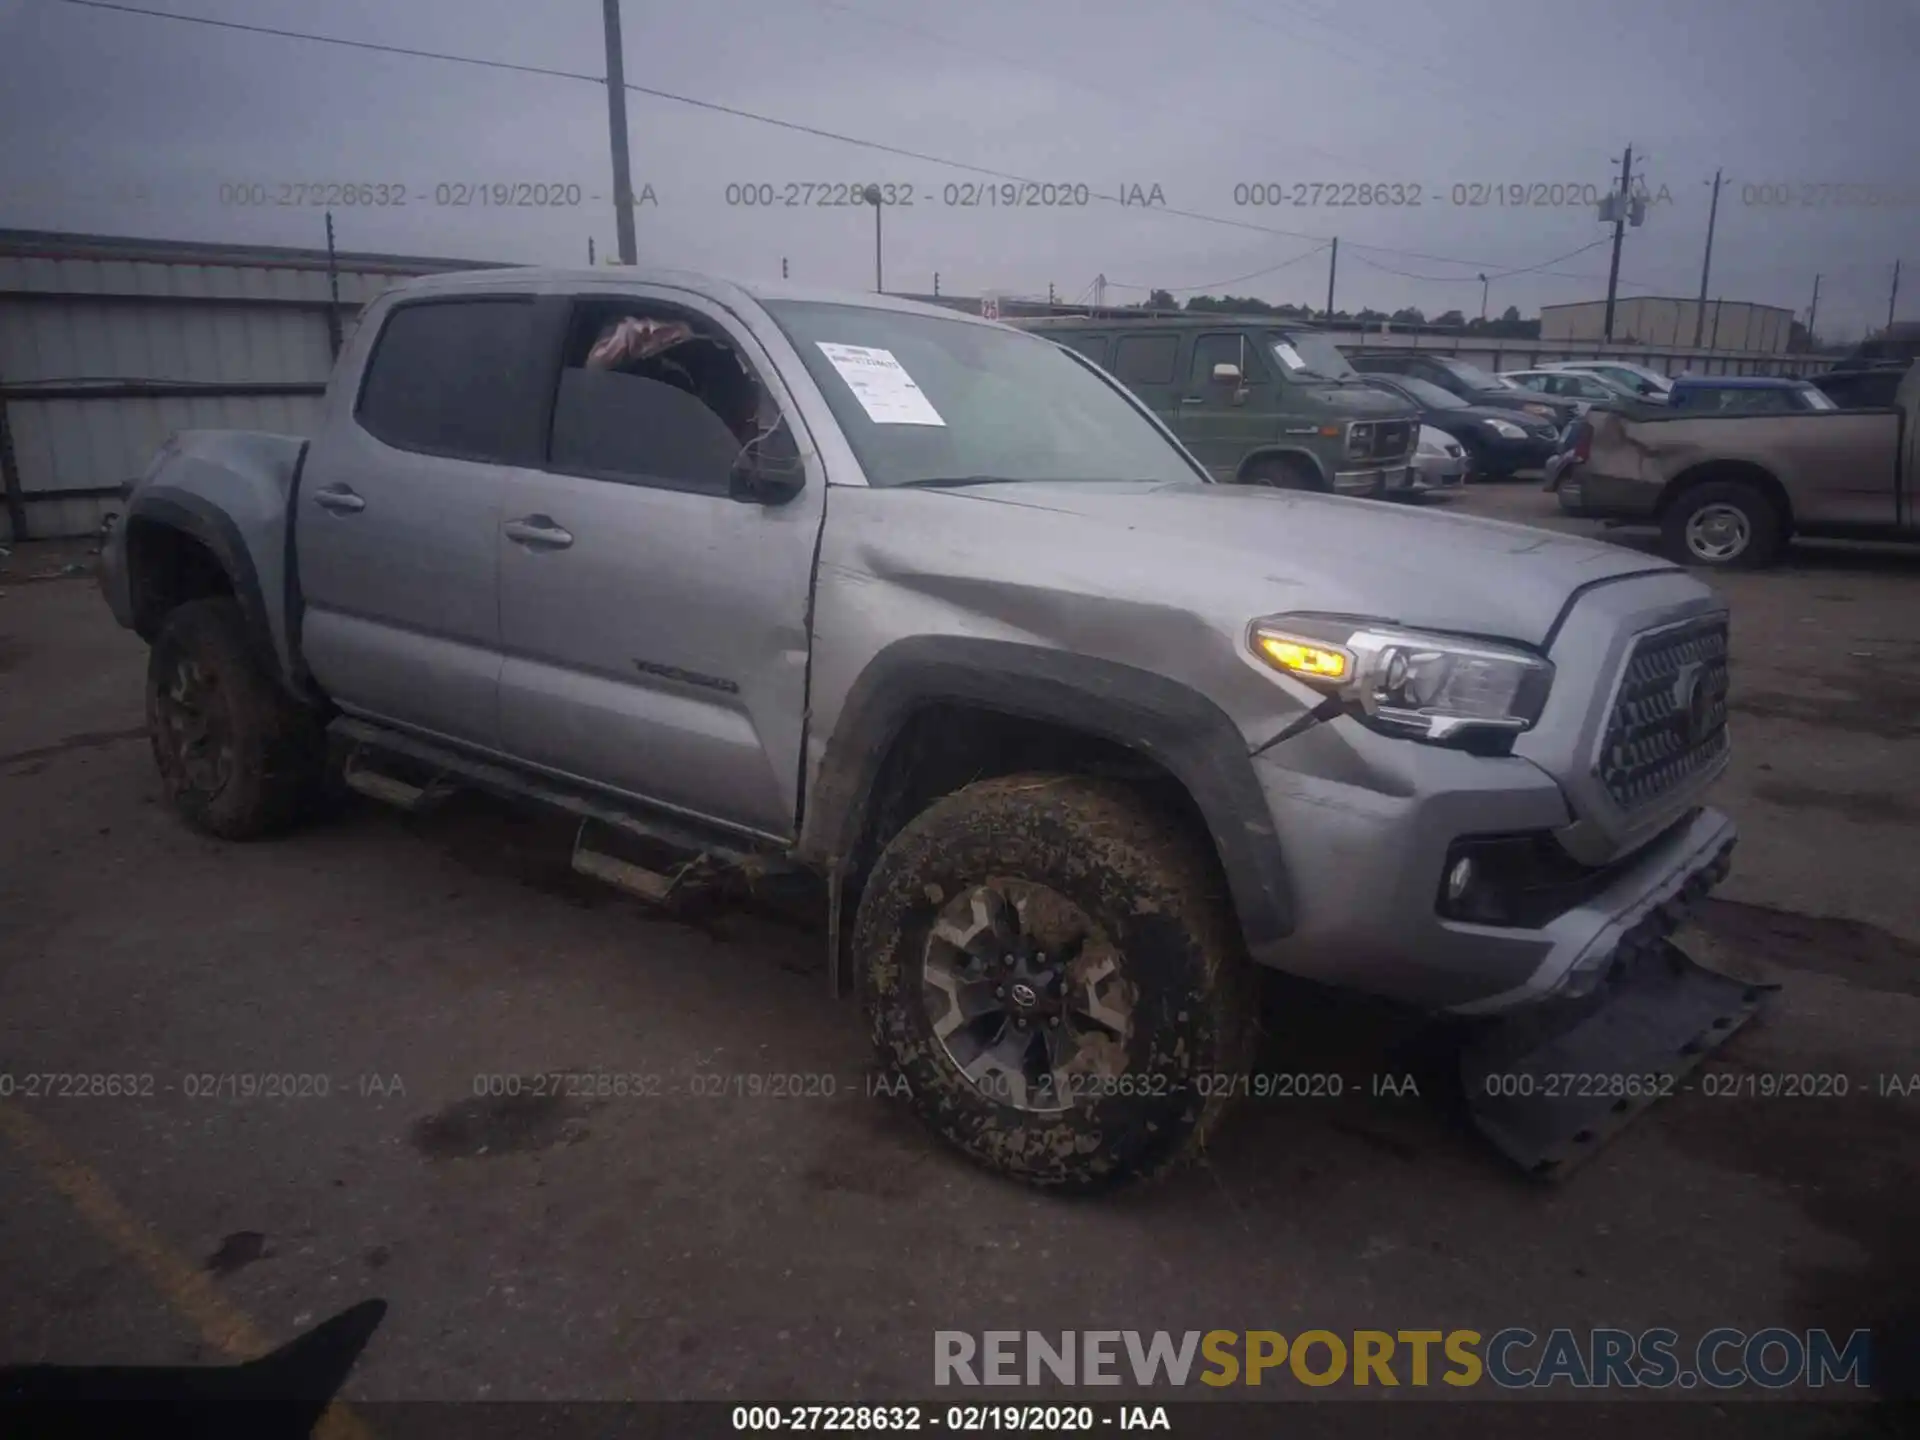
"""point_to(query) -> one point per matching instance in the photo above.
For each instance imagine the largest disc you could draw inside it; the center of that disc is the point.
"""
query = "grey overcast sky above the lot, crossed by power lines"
(1199, 101)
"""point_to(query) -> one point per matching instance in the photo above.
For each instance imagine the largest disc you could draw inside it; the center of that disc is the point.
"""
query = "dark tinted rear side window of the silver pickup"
(454, 377)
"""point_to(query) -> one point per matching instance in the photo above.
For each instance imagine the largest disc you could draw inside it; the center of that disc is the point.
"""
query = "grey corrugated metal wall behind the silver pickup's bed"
(108, 345)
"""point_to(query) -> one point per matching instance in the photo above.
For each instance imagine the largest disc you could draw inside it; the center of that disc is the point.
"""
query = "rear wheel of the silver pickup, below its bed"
(239, 757)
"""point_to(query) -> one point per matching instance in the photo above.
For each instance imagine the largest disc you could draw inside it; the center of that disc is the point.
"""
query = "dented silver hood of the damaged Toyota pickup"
(1251, 550)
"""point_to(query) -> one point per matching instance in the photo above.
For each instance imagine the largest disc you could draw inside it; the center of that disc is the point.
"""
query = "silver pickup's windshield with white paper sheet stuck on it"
(926, 400)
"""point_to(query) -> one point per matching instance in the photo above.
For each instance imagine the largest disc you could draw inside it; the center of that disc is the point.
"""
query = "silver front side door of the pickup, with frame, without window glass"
(654, 625)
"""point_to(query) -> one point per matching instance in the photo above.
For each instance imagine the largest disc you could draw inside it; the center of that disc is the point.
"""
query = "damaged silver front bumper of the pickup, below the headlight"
(1366, 865)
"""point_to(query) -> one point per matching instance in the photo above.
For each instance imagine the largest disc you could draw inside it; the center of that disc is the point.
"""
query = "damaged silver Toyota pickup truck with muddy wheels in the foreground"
(938, 613)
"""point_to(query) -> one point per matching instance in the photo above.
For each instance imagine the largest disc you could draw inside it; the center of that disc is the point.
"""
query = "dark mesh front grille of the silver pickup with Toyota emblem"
(1669, 713)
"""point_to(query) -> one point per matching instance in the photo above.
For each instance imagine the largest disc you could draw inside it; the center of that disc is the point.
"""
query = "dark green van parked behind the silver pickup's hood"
(1257, 400)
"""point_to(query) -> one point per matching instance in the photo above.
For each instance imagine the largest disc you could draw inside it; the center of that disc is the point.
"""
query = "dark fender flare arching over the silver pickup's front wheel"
(1168, 723)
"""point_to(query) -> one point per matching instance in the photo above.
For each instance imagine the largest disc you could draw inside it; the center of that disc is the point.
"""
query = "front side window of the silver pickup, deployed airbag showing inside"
(654, 398)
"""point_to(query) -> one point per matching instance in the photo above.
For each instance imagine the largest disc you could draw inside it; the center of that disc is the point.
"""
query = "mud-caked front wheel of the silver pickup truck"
(1053, 972)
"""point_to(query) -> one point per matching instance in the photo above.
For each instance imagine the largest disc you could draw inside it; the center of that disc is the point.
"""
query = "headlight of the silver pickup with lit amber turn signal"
(1408, 683)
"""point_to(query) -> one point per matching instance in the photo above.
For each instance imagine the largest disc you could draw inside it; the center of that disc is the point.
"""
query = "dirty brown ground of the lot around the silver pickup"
(805, 1249)
